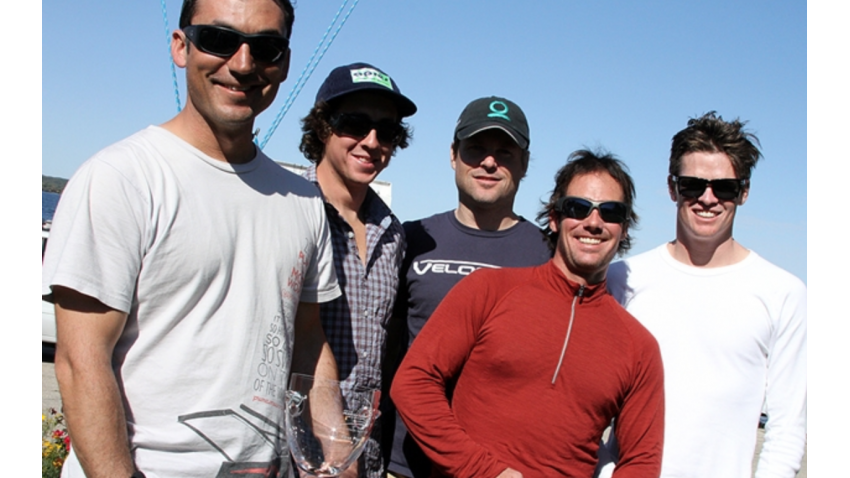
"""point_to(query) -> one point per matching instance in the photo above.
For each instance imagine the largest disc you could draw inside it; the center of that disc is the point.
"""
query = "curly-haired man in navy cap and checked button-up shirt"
(352, 131)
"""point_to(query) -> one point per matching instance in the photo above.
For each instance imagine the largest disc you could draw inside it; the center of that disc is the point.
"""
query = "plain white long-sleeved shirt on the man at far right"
(733, 339)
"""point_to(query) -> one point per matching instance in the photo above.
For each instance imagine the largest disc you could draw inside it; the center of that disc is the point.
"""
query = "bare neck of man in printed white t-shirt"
(232, 145)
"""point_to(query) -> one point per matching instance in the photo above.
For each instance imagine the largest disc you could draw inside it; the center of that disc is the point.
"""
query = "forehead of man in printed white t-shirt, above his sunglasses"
(247, 16)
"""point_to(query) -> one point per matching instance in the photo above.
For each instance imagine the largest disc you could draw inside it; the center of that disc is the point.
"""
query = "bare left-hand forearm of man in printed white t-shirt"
(95, 416)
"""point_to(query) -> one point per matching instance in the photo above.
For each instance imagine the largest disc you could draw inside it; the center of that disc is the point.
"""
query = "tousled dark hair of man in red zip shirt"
(583, 162)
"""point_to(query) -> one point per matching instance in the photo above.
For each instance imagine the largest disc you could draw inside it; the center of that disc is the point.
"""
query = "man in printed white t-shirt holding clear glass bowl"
(187, 270)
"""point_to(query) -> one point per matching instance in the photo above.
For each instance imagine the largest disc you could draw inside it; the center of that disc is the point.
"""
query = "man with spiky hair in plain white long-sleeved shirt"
(732, 327)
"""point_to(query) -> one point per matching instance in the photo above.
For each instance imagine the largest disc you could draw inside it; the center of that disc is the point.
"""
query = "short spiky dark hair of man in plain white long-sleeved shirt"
(710, 133)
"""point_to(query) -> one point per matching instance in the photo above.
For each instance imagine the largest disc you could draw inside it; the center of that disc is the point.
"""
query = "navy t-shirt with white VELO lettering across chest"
(440, 252)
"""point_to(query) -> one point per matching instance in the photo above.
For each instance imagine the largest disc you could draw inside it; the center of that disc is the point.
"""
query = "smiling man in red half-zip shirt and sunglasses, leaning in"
(520, 352)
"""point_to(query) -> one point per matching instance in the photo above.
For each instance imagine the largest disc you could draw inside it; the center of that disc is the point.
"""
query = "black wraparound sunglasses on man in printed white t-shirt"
(224, 42)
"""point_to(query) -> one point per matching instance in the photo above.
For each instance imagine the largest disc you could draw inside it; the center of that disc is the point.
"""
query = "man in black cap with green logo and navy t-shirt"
(489, 154)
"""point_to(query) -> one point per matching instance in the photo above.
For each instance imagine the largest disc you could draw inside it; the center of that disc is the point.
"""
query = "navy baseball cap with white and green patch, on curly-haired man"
(347, 79)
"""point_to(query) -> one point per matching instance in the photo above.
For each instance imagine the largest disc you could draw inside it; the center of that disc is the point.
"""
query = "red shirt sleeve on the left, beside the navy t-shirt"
(435, 359)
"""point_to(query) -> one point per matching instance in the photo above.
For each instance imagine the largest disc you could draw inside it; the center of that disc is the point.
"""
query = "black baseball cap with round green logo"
(493, 112)
